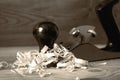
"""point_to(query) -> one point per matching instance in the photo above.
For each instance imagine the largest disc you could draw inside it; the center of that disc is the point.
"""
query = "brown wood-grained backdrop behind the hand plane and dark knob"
(18, 17)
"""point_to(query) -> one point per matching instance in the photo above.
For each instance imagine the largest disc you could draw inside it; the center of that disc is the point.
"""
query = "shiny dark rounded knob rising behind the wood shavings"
(45, 33)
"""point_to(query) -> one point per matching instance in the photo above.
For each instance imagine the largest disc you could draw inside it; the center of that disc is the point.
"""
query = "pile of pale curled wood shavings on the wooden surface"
(36, 62)
